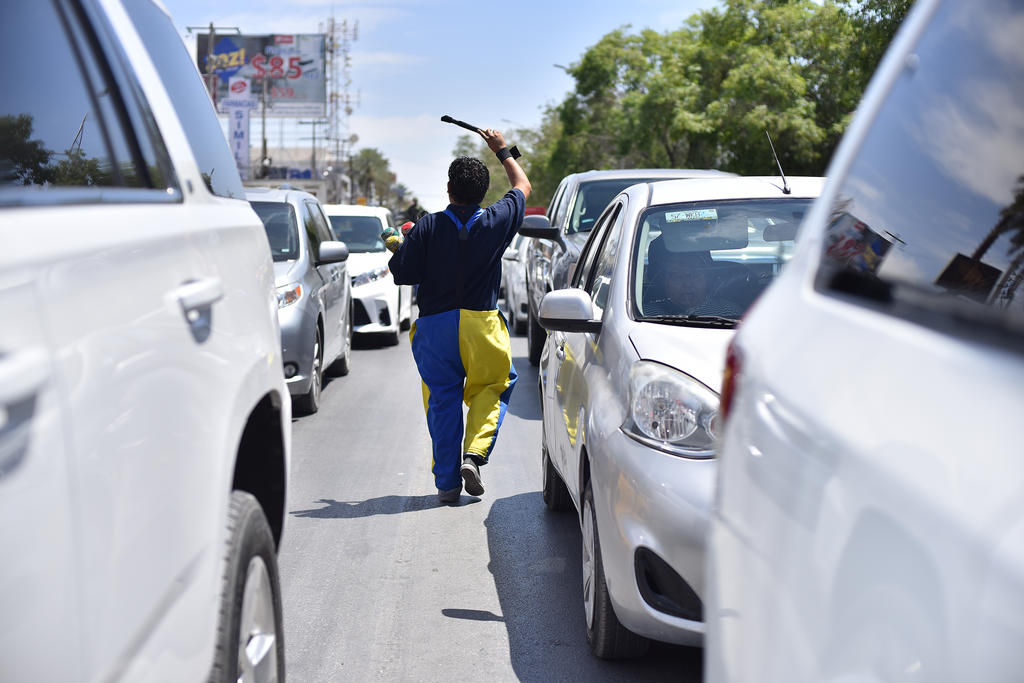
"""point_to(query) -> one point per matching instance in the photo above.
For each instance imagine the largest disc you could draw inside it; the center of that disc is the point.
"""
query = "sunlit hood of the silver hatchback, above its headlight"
(697, 352)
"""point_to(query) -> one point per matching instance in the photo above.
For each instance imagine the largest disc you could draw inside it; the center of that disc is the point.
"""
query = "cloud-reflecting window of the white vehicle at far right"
(927, 224)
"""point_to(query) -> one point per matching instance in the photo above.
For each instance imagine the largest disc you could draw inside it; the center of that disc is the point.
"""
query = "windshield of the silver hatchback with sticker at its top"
(712, 259)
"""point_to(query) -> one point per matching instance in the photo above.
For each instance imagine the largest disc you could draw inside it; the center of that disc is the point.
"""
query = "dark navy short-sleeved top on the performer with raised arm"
(430, 255)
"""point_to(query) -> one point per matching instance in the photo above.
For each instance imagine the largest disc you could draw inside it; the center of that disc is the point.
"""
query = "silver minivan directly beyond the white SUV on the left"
(315, 294)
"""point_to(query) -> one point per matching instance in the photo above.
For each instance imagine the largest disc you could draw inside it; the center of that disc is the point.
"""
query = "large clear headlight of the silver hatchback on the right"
(671, 411)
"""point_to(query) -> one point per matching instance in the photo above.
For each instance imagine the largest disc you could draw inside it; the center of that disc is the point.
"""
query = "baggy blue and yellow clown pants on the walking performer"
(463, 357)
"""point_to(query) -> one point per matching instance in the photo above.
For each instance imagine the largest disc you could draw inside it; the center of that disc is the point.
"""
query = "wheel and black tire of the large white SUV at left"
(252, 565)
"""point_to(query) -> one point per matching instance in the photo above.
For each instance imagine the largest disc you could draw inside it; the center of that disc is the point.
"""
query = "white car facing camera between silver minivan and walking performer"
(381, 307)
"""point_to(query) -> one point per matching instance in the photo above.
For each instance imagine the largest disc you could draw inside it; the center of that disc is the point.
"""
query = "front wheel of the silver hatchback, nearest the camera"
(608, 638)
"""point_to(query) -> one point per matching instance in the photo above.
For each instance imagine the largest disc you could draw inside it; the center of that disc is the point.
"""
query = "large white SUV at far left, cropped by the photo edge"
(145, 421)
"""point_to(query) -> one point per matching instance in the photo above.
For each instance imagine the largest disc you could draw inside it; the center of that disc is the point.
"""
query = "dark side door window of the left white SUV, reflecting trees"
(67, 135)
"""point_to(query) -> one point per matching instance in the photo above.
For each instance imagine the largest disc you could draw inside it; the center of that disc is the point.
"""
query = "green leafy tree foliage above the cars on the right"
(703, 96)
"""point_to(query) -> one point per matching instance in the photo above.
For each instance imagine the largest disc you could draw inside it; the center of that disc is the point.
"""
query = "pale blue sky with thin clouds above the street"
(487, 63)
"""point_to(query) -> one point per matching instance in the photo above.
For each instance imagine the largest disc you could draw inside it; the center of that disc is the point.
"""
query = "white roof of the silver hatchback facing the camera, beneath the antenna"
(736, 188)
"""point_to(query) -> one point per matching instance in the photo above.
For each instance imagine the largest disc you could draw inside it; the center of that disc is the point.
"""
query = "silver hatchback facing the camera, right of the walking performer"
(635, 351)
